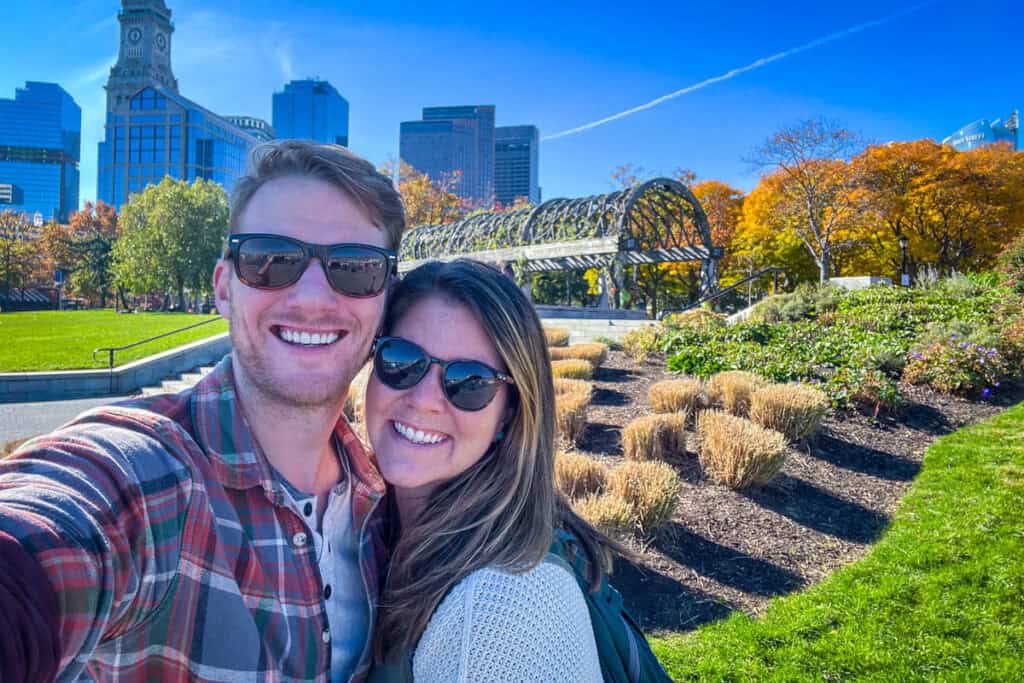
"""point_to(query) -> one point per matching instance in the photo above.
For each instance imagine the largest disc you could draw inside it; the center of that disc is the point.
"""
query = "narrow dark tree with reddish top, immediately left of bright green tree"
(94, 234)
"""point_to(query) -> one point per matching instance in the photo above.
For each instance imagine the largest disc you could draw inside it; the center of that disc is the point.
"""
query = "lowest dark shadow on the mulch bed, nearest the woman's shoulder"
(660, 603)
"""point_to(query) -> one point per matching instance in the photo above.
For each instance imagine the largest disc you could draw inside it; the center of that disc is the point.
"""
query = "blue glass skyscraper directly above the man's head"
(312, 111)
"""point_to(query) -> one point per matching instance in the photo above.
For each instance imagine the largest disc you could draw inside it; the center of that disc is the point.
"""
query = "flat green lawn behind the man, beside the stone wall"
(65, 340)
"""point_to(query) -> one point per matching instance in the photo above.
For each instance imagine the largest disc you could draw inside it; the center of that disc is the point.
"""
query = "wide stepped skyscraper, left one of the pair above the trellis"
(451, 140)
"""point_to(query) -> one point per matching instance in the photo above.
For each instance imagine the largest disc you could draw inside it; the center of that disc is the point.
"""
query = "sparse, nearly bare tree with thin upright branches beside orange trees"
(810, 156)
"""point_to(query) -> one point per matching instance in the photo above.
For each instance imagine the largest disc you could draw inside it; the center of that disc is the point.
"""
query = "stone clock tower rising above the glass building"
(145, 58)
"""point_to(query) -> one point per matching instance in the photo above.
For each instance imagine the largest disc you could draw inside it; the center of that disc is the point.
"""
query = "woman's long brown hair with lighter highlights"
(502, 511)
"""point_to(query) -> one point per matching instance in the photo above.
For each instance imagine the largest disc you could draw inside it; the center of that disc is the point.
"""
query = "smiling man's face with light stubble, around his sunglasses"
(288, 373)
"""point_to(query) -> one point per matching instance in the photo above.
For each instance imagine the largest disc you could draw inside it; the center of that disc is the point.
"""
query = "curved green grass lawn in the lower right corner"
(941, 597)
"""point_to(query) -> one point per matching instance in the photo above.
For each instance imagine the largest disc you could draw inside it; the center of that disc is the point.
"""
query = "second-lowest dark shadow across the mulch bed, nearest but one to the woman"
(727, 566)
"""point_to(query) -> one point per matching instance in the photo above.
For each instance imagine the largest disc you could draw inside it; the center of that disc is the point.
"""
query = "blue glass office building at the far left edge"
(40, 150)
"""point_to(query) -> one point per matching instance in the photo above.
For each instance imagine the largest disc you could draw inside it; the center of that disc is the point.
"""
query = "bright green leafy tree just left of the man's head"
(173, 235)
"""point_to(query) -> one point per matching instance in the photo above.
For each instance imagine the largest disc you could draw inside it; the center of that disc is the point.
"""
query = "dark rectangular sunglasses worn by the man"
(275, 262)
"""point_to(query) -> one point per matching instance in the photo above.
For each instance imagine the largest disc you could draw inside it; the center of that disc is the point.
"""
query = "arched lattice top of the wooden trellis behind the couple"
(660, 222)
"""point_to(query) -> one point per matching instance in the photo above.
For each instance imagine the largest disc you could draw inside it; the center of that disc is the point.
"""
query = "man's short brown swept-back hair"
(333, 164)
